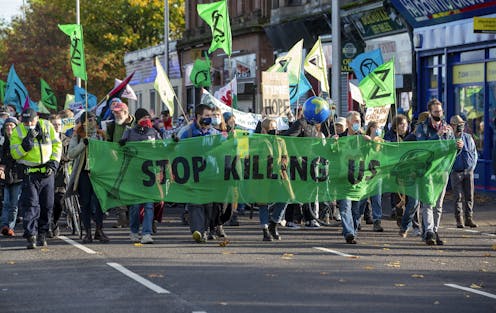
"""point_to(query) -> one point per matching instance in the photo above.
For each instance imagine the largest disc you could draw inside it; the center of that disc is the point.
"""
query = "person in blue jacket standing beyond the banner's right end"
(462, 173)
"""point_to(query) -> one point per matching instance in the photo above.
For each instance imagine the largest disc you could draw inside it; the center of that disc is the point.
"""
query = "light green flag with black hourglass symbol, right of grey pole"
(378, 87)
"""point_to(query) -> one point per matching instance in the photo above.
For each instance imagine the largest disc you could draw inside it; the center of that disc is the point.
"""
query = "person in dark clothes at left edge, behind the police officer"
(9, 170)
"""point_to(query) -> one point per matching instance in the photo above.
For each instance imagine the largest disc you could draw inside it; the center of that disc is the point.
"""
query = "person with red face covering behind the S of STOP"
(142, 131)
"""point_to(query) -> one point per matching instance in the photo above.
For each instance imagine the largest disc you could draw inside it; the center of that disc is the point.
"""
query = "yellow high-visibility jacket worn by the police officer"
(47, 148)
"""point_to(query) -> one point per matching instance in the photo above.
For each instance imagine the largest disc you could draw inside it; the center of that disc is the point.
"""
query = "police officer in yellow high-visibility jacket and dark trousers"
(36, 146)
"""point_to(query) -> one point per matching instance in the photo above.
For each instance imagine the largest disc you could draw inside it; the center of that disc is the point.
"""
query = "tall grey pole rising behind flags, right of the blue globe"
(336, 55)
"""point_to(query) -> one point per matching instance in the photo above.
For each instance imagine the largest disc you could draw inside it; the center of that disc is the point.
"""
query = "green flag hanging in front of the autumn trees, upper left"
(75, 32)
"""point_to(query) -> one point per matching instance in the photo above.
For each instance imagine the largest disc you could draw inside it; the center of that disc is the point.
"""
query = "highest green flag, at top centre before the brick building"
(216, 15)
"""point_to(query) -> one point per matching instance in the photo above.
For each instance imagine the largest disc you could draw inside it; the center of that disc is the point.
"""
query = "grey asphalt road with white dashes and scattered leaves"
(308, 271)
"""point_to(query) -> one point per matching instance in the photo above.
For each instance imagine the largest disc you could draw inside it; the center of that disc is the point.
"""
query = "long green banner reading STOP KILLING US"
(254, 168)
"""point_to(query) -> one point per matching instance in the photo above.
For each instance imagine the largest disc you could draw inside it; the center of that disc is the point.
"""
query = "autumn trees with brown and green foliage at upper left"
(111, 28)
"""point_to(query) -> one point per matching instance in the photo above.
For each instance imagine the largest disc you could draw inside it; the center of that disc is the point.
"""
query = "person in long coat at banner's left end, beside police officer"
(79, 181)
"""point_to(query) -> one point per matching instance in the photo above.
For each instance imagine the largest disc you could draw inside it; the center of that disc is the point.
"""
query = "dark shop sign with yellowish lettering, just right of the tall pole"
(376, 22)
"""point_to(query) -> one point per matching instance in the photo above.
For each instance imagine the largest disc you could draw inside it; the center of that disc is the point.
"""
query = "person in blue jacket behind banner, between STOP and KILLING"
(200, 216)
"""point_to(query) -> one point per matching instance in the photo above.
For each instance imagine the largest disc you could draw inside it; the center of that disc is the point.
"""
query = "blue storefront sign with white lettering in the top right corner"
(430, 12)
